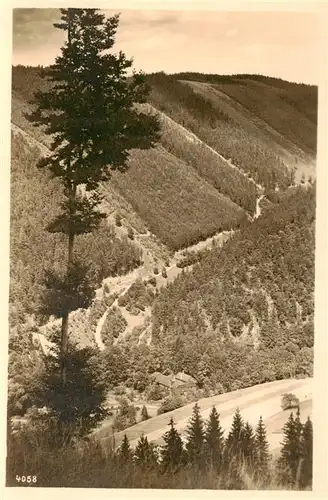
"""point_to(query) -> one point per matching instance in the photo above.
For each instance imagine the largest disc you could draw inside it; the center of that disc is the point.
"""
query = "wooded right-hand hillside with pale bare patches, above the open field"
(250, 303)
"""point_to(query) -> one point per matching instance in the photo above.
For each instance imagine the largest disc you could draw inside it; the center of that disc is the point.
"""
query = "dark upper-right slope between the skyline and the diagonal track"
(267, 131)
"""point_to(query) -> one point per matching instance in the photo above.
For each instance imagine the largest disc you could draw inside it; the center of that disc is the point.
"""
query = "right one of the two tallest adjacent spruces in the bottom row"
(214, 441)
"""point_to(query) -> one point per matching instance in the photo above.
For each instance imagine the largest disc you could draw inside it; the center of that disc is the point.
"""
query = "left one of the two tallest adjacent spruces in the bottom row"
(196, 439)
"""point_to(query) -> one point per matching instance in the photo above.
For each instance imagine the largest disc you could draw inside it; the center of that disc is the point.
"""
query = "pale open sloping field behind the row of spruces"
(260, 400)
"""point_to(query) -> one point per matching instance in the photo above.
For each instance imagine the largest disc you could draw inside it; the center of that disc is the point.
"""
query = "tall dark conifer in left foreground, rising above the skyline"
(89, 110)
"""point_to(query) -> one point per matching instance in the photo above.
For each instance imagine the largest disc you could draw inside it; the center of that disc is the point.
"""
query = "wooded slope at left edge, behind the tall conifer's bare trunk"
(35, 200)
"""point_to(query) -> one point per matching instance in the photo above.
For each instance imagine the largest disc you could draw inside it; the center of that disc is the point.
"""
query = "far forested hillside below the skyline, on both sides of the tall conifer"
(233, 150)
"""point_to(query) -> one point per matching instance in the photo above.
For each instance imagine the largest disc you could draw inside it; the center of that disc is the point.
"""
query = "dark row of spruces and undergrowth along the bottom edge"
(201, 458)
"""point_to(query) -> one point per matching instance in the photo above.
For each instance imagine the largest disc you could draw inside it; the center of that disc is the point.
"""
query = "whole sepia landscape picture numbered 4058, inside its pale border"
(162, 249)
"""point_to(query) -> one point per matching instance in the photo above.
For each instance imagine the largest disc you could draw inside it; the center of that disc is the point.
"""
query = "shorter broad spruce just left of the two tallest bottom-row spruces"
(172, 452)
